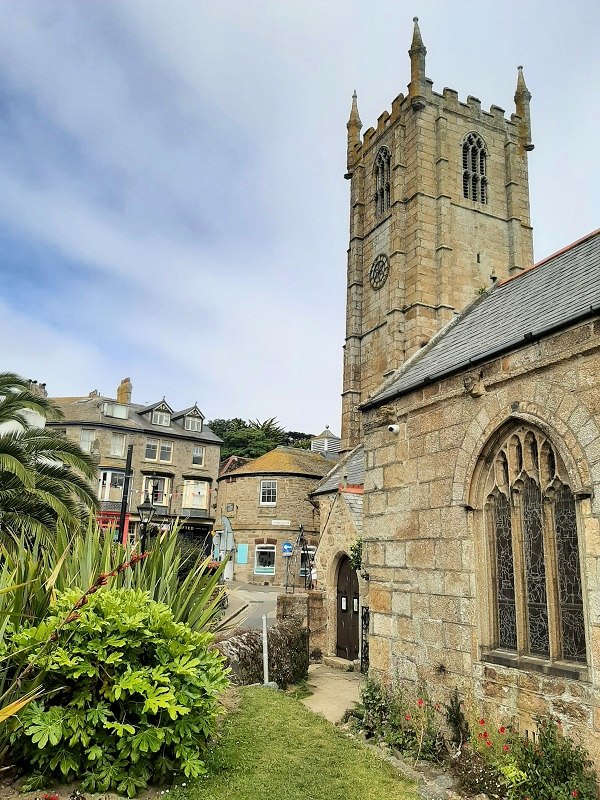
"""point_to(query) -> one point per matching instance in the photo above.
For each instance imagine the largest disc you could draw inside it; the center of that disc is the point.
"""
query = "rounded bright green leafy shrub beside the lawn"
(132, 694)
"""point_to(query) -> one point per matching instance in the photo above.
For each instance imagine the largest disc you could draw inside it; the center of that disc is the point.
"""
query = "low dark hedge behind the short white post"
(288, 654)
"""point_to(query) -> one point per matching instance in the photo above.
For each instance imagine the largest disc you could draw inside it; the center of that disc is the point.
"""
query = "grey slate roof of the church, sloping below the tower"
(555, 293)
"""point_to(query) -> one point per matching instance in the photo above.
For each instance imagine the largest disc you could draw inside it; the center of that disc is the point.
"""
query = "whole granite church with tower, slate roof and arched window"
(472, 381)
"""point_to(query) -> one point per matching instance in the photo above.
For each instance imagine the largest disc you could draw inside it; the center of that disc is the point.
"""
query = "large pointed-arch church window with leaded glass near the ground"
(532, 532)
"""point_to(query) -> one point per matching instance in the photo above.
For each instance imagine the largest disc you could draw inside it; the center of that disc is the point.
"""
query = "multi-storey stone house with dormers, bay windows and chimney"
(174, 458)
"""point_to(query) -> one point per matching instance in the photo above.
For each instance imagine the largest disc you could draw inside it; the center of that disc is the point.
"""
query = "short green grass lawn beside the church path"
(273, 748)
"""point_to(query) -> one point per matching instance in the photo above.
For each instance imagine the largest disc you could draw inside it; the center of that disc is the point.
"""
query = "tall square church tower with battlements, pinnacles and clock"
(439, 202)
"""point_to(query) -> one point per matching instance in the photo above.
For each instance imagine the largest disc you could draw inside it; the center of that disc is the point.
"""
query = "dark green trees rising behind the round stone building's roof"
(254, 438)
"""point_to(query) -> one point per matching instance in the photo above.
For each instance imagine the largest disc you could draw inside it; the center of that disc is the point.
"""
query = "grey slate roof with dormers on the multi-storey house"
(88, 411)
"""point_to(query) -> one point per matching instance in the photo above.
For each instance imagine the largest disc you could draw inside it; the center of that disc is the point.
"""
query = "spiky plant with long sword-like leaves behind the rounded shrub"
(34, 571)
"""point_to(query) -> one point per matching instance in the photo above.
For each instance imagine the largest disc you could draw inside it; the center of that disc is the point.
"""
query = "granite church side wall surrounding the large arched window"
(426, 547)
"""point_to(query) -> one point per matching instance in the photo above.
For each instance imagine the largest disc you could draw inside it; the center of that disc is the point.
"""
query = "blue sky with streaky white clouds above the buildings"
(172, 201)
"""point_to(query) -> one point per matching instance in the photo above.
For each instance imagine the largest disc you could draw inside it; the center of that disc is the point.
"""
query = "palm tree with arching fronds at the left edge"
(44, 477)
